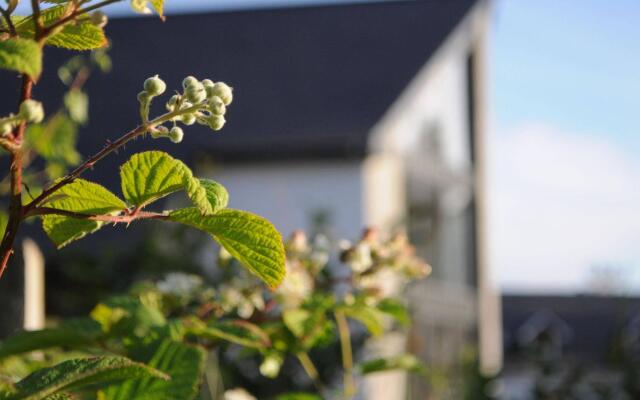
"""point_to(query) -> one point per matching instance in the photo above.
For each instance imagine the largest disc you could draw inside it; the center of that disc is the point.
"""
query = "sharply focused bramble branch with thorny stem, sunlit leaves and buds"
(71, 207)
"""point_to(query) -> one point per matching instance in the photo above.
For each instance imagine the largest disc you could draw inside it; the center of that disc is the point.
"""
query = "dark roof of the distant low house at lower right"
(596, 322)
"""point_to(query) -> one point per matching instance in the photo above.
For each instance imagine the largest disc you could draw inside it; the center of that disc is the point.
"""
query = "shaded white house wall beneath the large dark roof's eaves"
(288, 193)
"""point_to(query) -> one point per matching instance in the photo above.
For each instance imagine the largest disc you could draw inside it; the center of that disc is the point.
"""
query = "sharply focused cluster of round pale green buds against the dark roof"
(203, 102)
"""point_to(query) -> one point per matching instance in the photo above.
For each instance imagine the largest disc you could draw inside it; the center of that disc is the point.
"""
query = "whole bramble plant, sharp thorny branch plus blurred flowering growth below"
(153, 342)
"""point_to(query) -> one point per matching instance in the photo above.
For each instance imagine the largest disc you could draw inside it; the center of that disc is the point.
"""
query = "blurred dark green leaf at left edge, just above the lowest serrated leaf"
(73, 333)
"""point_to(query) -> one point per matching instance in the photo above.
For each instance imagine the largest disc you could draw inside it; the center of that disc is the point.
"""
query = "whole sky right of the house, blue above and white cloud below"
(564, 175)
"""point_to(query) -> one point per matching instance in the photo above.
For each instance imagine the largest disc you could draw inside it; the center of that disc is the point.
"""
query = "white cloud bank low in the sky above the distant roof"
(560, 203)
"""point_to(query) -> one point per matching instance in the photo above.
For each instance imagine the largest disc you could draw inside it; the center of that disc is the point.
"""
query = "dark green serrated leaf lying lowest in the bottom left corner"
(78, 373)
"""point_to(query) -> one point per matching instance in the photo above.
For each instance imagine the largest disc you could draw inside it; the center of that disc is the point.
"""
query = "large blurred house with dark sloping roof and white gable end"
(344, 115)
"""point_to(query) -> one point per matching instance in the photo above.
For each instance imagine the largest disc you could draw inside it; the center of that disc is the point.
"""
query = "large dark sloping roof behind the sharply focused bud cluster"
(309, 81)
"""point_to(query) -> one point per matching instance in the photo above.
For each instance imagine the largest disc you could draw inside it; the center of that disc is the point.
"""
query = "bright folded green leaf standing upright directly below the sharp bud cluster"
(151, 175)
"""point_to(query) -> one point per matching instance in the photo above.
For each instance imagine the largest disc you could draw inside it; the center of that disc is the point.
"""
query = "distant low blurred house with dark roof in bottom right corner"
(586, 343)
